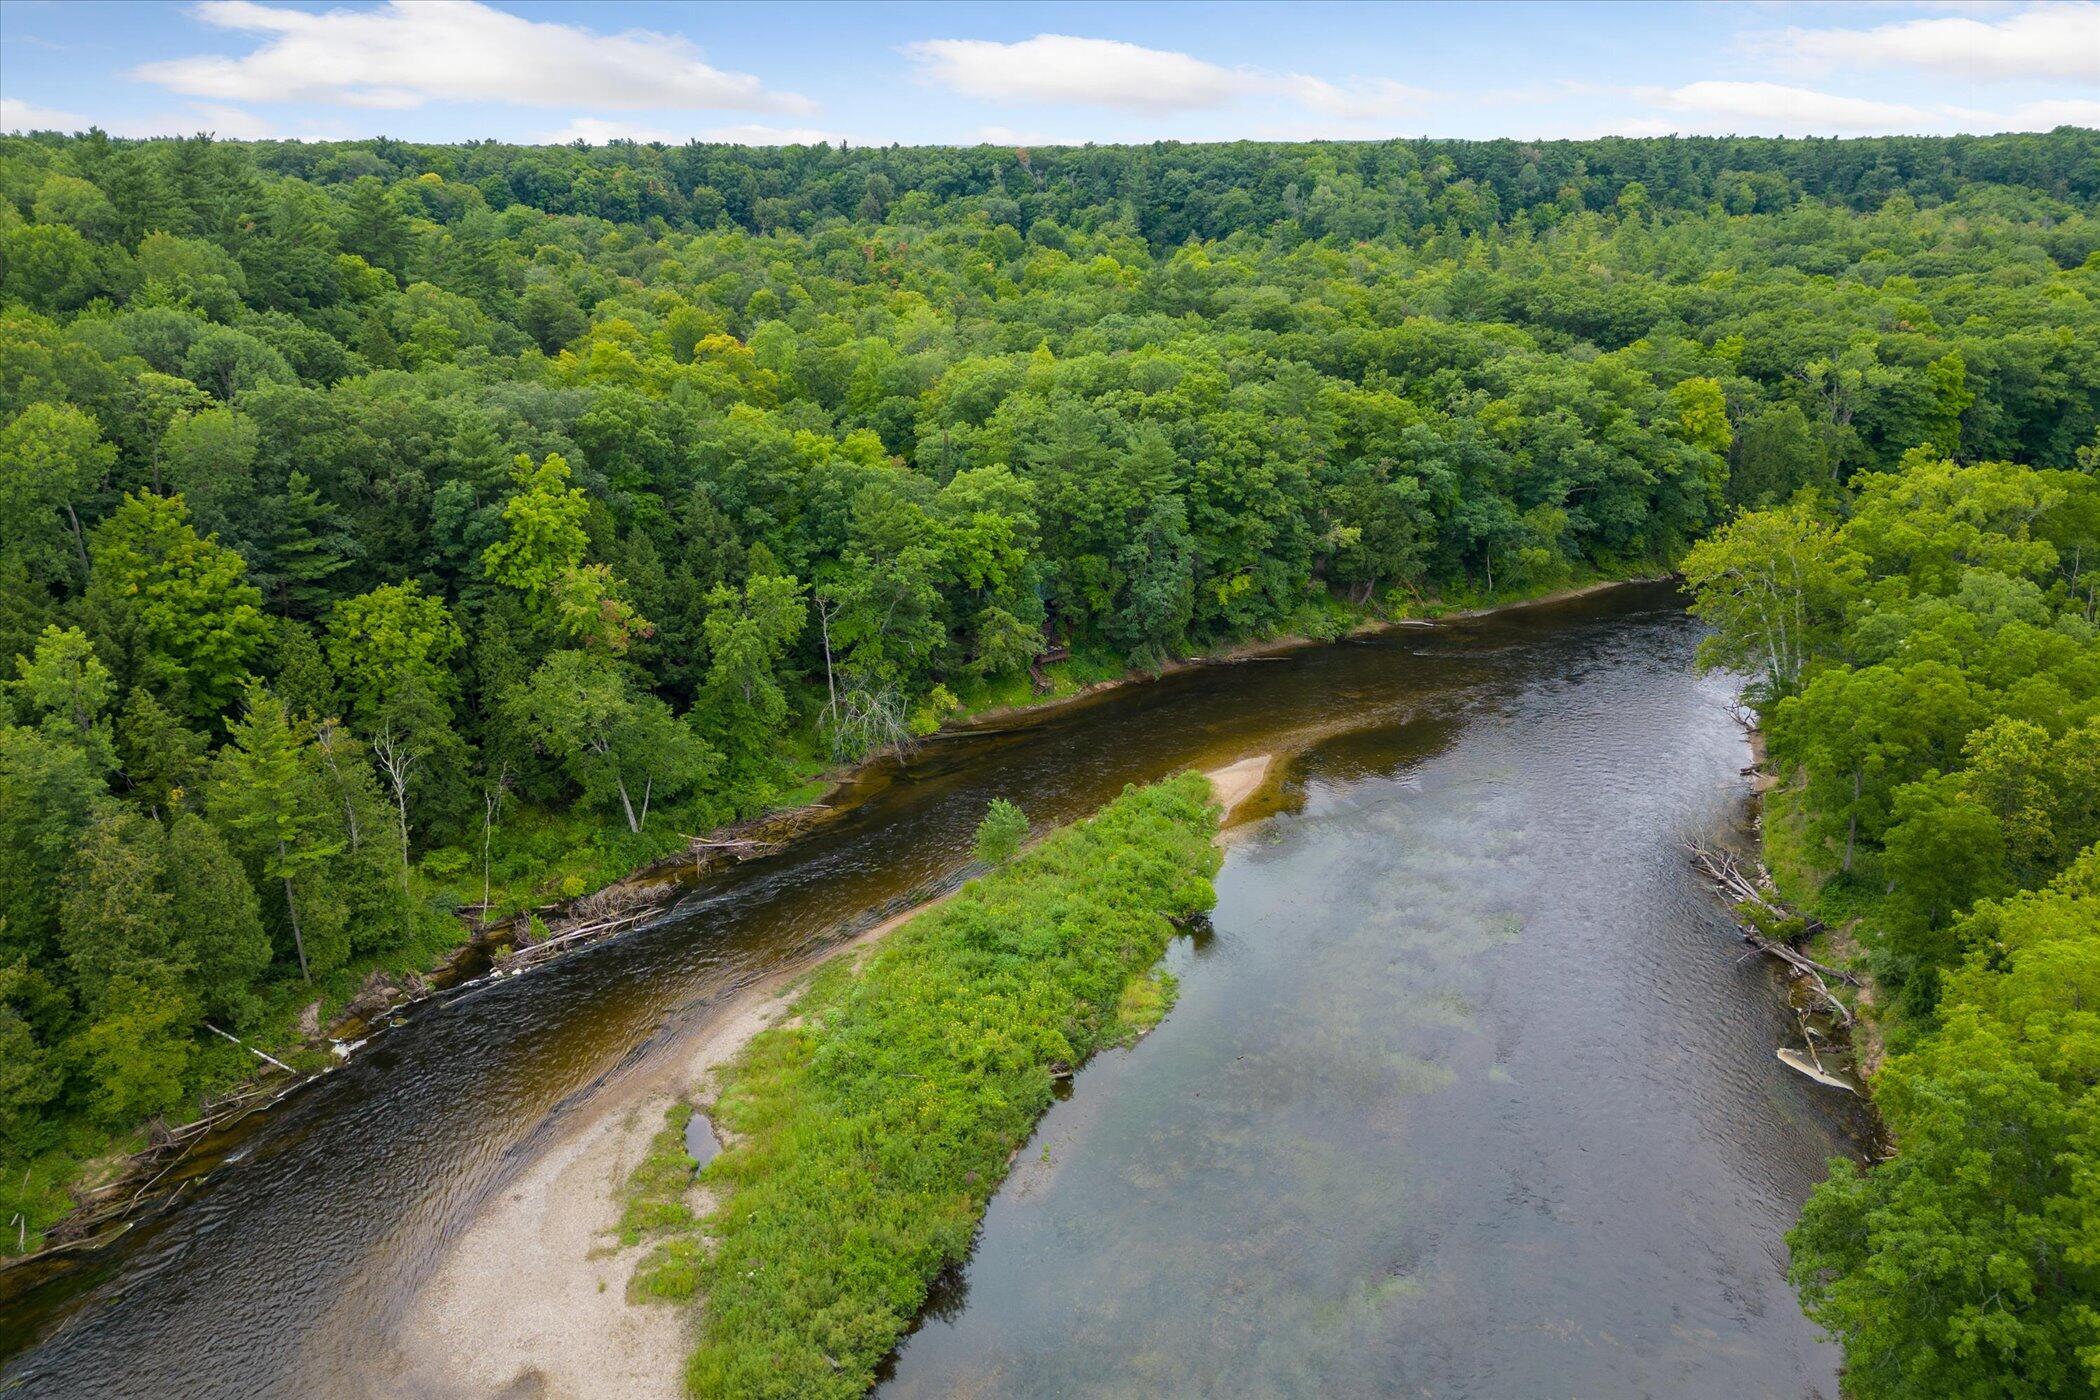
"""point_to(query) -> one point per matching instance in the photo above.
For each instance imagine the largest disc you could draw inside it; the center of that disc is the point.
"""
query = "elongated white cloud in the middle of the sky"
(1059, 68)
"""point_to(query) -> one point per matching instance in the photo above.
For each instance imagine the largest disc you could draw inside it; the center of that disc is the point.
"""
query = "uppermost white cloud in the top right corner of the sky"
(2055, 41)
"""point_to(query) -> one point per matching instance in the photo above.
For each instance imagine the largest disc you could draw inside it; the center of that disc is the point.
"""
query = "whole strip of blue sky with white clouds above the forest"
(1041, 75)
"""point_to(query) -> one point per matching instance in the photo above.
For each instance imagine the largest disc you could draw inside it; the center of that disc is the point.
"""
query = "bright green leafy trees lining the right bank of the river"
(1929, 677)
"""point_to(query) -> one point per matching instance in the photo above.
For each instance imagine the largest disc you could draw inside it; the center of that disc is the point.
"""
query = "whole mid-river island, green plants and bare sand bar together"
(564, 1281)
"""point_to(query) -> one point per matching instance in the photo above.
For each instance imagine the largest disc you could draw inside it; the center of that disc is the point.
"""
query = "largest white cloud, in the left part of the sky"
(408, 54)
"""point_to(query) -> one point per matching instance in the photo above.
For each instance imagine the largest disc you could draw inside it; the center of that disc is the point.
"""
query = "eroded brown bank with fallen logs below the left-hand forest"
(110, 1191)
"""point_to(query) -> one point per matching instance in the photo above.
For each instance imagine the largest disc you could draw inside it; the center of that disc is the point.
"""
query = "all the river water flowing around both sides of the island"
(1469, 1090)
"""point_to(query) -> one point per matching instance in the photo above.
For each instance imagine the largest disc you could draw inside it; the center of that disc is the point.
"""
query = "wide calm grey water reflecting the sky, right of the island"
(1465, 1097)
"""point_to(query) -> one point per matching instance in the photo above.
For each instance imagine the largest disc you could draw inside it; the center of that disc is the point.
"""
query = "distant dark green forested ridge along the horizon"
(1173, 192)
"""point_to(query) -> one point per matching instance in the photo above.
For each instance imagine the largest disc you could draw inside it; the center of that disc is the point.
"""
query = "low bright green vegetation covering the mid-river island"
(870, 1134)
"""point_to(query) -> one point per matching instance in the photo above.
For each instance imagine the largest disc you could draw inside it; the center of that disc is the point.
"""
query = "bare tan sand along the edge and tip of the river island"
(534, 1298)
